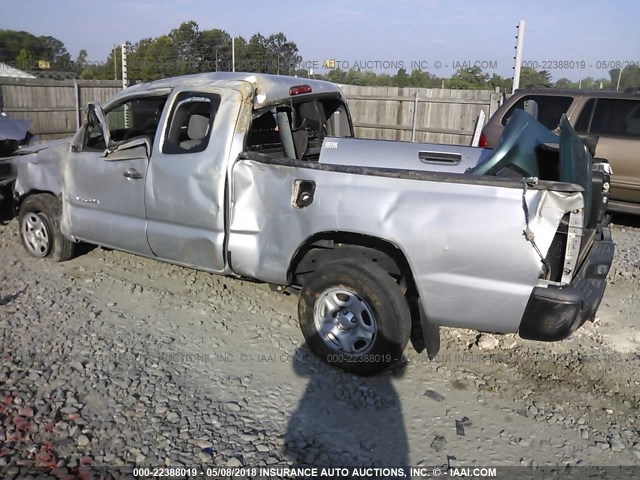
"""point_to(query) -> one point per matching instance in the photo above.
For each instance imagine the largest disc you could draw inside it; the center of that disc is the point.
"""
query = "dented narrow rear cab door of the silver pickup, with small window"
(185, 197)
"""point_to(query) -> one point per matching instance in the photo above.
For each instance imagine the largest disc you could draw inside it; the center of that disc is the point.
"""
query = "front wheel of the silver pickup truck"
(39, 220)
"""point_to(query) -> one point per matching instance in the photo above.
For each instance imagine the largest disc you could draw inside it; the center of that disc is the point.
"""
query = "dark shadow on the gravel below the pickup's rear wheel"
(345, 420)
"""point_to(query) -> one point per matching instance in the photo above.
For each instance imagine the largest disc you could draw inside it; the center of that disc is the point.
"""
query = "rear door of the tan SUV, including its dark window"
(616, 121)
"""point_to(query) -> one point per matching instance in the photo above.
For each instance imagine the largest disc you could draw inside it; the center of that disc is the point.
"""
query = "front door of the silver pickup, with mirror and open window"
(104, 177)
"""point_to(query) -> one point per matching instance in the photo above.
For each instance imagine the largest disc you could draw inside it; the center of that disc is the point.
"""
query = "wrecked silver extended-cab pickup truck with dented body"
(258, 176)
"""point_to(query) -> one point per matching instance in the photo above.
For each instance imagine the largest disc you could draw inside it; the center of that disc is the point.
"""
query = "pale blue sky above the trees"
(438, 35)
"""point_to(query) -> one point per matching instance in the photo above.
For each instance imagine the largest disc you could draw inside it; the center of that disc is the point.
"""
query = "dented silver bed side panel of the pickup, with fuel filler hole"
(464, 242)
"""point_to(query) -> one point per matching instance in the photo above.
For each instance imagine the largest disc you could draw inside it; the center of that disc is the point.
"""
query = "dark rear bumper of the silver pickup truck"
(554, 312)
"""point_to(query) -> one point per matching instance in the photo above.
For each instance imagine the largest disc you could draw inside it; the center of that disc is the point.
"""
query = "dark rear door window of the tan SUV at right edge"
(616, 117)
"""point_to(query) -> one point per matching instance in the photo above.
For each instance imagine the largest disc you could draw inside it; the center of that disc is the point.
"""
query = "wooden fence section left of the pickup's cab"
(56, 107)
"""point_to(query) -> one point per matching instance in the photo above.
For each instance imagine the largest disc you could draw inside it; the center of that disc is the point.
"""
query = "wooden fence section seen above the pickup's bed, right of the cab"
(430, 115)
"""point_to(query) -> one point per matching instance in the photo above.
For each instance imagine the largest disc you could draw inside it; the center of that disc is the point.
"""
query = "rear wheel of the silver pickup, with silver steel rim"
(354, 316)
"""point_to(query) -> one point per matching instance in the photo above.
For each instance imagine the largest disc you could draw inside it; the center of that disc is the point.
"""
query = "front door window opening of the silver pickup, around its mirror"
(133, 118)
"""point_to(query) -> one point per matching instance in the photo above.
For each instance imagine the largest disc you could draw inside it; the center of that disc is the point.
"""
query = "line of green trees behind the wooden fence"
(187, 49)
